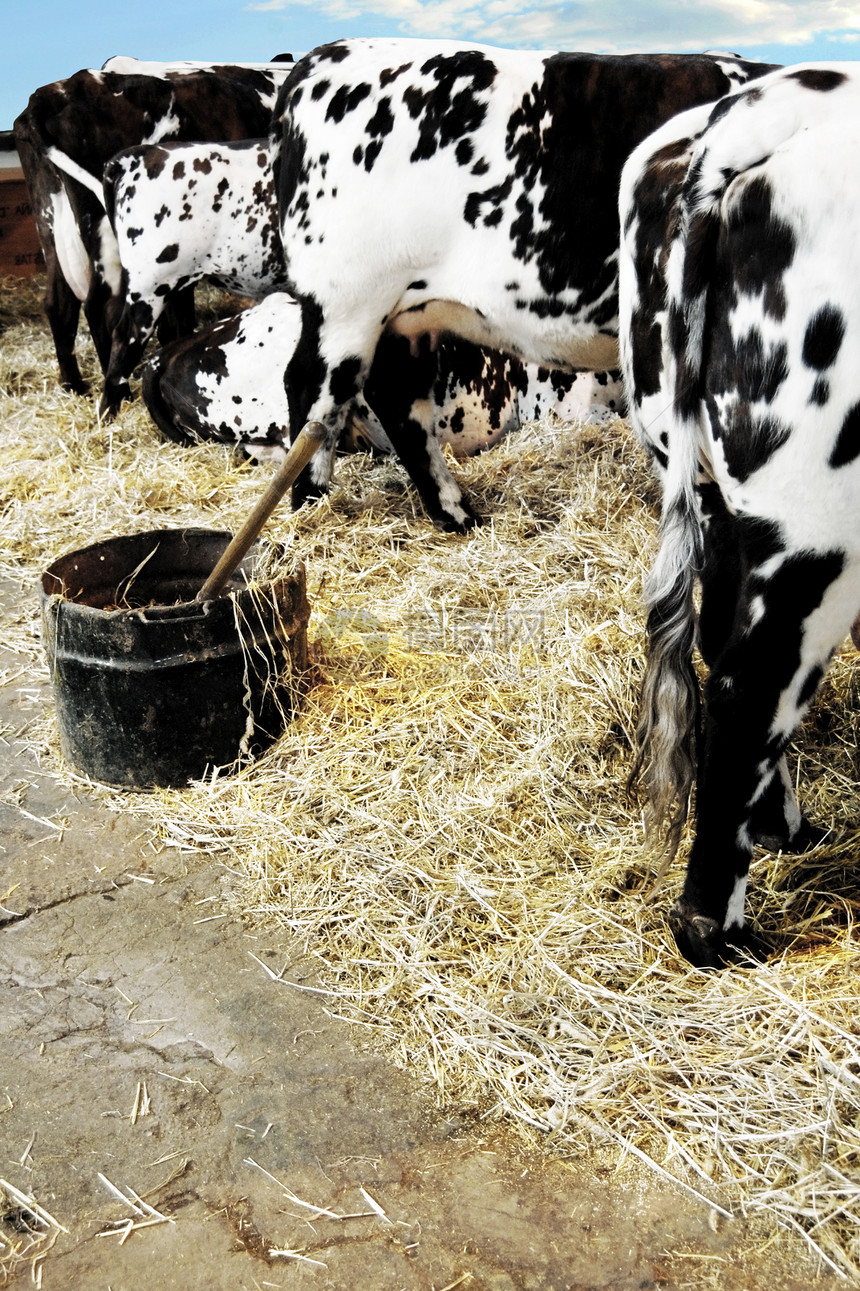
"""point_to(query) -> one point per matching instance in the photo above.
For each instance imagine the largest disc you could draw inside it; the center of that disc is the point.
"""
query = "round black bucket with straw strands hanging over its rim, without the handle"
(154, 687)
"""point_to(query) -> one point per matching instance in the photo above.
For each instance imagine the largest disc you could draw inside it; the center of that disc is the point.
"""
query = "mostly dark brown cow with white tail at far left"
(68, 134)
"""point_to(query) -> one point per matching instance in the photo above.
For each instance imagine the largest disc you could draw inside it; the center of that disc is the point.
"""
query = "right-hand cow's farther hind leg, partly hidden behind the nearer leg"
(777, 822)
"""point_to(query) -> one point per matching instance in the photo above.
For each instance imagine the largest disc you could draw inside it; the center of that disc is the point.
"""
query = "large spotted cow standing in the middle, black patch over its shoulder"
(431, 188)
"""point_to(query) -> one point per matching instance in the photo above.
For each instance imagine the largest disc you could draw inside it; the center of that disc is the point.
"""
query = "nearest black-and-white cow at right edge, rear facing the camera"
(741, 326)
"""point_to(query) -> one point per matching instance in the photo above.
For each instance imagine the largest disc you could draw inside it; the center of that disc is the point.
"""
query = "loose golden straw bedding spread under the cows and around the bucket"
(446, 827)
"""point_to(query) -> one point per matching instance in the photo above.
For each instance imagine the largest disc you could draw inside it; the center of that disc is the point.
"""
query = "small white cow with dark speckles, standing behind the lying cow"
(183, 212)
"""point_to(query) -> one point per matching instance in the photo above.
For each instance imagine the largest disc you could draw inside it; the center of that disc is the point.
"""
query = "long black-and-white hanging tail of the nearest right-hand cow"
(668, 733)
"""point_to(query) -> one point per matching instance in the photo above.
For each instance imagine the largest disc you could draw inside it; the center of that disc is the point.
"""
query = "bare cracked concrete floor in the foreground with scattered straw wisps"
(264, 1124)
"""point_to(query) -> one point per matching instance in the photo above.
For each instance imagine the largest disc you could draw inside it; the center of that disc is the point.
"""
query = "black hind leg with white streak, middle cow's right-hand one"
(400, 389)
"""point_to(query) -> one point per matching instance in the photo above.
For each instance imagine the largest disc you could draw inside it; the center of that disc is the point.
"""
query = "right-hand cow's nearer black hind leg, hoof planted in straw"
(757, 693)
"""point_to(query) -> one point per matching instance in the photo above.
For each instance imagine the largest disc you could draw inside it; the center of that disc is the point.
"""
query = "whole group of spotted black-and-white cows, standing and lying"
(445, 241)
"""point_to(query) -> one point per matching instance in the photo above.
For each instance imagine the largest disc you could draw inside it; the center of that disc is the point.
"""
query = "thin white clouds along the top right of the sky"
(619, 26)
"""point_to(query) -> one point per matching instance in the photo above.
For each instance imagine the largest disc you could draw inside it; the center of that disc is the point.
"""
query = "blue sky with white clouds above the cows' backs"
(51, 39)
